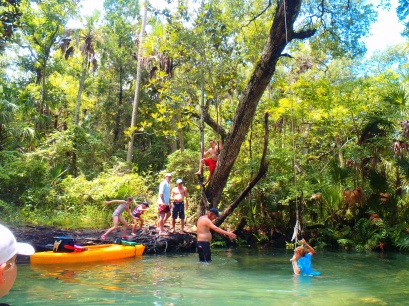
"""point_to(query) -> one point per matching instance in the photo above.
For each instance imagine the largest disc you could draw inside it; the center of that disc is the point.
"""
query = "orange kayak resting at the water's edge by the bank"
(92, 253)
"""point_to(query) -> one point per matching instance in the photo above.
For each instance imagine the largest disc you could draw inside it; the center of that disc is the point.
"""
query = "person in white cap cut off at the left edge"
(9, 248)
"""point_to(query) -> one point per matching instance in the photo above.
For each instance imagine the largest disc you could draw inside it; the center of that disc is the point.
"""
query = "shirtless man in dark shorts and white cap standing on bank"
(179, 196)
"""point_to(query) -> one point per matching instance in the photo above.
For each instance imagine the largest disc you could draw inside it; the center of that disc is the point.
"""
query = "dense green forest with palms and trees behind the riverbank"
(314, 132)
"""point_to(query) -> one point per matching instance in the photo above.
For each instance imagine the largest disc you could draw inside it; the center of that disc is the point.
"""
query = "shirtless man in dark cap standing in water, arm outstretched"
(204, 225)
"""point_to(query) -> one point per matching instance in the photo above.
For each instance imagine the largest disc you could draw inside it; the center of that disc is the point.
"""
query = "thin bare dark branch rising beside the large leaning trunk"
(261, 172)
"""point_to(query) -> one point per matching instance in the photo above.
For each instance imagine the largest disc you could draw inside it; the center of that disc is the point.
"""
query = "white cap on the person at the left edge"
(10, 247)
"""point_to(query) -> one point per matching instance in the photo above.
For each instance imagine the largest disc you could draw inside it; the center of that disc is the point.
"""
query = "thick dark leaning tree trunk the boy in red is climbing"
(281, 32)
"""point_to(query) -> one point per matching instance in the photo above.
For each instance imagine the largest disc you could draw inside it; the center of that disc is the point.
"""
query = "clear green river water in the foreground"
(236, 276)
